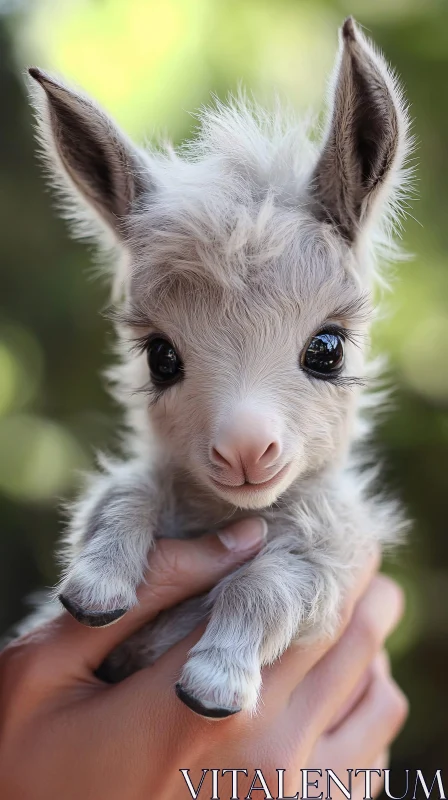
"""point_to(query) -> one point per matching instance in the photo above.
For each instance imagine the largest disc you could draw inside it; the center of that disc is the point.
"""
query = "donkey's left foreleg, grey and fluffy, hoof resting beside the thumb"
(110, 534)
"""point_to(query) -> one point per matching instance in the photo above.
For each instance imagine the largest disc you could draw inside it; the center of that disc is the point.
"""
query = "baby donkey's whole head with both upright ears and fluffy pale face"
(247, 270)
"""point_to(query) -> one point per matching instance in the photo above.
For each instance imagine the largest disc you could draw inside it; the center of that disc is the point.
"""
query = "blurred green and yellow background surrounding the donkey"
(150, 63)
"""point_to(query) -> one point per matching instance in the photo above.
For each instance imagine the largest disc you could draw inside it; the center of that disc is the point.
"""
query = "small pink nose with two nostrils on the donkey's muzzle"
(247, 448)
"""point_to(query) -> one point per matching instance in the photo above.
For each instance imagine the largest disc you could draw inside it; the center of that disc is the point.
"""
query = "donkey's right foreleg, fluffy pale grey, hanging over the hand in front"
(257, 613)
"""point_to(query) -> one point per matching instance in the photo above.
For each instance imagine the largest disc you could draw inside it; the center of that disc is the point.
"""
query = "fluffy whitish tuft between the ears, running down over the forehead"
(232, 209)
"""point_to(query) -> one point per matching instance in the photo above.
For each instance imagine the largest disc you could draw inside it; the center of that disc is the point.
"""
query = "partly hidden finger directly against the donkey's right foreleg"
(284, 676)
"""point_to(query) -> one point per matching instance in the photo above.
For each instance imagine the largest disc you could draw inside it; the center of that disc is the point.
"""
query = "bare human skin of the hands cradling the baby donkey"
(64, 734)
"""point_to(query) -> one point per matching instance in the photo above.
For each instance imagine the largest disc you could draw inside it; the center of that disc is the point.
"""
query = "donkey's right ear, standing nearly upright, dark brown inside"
(367, 137)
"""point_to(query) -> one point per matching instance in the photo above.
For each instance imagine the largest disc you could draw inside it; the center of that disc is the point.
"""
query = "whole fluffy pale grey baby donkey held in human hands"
(246, 261)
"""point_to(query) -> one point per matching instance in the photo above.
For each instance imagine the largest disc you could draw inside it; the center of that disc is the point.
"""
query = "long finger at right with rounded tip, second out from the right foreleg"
(334, 678)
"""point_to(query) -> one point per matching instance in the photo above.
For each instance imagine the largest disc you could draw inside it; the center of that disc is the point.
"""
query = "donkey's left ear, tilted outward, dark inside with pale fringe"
(90, 157)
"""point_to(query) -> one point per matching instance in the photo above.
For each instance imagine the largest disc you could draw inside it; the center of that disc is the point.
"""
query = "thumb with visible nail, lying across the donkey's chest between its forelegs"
(178, 569)
